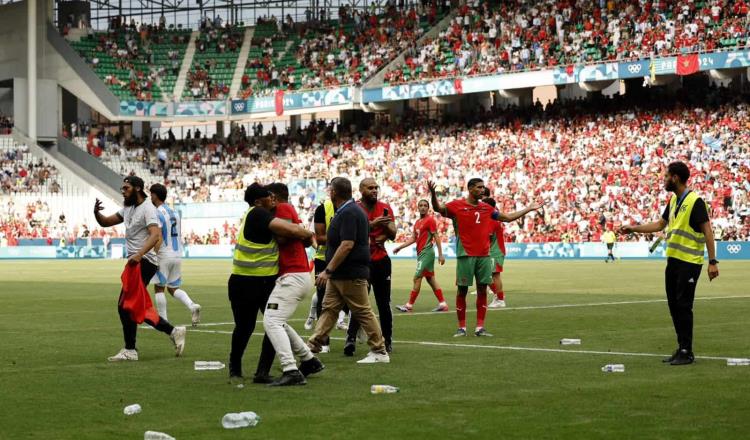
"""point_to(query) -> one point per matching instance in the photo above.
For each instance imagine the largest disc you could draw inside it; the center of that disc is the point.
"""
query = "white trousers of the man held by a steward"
(289, 291)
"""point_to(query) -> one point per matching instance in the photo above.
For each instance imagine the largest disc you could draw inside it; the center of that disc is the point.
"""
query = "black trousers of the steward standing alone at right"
(681, 278)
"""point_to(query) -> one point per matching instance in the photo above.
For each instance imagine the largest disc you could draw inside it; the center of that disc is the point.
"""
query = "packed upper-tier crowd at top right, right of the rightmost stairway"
(488, 37)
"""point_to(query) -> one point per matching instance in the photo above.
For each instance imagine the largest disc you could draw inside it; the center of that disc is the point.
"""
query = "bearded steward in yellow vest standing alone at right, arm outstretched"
(688, 232)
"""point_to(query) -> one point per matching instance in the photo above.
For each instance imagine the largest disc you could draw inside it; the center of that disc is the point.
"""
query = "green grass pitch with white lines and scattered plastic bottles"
(59, 323)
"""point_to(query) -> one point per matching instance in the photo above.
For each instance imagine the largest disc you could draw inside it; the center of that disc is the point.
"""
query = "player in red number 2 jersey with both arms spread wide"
(473, 221)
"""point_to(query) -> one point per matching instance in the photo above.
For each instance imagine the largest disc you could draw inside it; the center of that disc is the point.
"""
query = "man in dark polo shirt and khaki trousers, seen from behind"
(346, 273)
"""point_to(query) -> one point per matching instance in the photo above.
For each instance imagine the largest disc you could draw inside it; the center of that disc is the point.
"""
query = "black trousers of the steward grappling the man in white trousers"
(248, 296)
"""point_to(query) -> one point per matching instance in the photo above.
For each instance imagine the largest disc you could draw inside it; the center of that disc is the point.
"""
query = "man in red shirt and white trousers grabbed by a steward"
(293, 284)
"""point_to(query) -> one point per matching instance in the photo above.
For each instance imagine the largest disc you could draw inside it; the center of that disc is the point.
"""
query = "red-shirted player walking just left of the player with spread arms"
(425, 236)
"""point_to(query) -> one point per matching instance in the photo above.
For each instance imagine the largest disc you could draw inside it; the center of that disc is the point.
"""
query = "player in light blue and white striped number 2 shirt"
(169, 275)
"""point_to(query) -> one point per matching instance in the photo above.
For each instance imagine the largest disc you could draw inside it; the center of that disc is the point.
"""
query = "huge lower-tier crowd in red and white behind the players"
(593, 164)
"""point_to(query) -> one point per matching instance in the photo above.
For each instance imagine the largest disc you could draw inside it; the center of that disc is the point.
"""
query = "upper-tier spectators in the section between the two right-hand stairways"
(333, 53)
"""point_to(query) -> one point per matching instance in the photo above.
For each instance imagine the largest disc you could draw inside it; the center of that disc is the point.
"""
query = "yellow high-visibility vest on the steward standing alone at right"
(683, 242)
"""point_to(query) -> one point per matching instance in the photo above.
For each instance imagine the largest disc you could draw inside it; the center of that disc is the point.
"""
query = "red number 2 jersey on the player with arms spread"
(473, 224)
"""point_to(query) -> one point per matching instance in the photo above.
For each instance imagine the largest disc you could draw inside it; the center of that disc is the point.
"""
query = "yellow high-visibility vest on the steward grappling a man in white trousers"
(254, 259)
